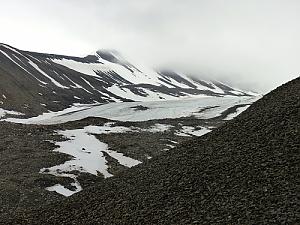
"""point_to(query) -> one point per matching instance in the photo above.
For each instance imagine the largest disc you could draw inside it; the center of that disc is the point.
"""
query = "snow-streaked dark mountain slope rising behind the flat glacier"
(33, 83)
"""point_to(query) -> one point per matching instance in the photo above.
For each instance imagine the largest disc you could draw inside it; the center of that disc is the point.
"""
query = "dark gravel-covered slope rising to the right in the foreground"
(246, 172)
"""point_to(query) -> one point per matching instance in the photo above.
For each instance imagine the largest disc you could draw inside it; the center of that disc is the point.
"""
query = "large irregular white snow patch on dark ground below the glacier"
(87, 152)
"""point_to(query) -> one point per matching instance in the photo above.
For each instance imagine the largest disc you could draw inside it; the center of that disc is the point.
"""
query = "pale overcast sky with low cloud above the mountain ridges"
(254, 44)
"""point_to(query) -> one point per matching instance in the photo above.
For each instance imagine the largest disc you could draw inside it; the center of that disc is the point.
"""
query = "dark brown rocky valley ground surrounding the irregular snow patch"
(26, 149)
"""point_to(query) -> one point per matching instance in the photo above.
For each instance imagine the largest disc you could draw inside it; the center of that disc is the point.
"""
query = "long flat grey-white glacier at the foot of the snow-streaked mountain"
(202, 108)
